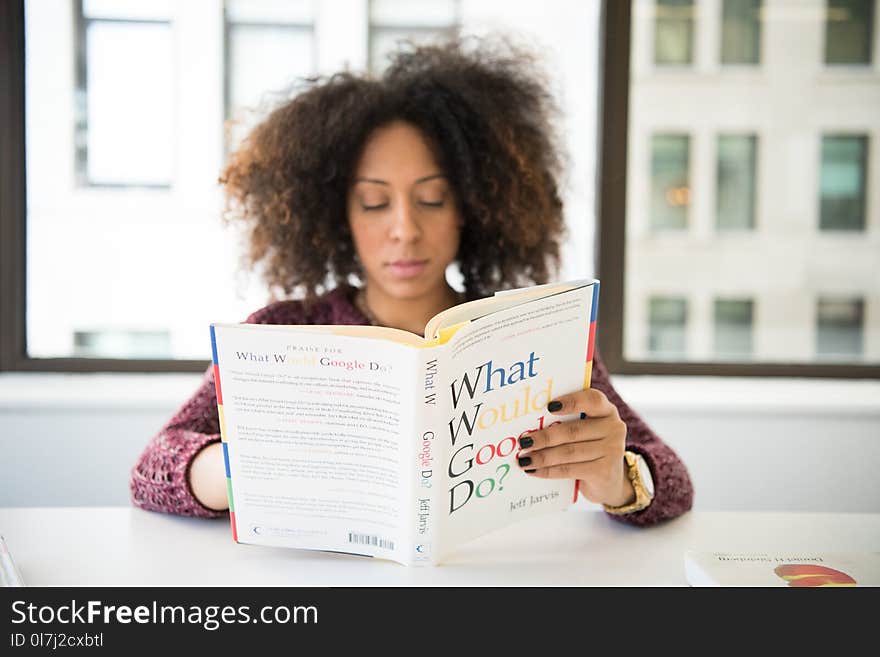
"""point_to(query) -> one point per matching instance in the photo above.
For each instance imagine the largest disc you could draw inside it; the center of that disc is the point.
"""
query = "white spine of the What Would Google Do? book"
(427, 461)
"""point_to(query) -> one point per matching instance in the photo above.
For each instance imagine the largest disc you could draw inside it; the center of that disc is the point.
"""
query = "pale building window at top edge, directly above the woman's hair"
(418, 21)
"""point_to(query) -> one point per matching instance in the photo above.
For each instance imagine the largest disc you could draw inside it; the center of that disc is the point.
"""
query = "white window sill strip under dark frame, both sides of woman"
(648, 394)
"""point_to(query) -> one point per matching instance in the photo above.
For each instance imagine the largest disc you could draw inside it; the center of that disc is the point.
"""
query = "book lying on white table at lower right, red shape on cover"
(792, 569)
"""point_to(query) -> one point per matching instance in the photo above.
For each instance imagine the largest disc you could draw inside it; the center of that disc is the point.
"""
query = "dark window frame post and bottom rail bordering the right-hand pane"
(610, 246)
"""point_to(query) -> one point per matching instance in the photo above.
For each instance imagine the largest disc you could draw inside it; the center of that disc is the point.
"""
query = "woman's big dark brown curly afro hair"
(486, 109)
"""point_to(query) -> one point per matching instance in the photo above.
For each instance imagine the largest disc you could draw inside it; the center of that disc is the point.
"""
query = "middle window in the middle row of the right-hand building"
(736, 182)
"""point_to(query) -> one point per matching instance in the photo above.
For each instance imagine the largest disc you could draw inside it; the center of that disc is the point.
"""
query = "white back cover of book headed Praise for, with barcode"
(313, 429)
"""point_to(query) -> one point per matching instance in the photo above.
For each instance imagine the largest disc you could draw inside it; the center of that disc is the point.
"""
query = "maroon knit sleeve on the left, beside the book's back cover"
(160, 478)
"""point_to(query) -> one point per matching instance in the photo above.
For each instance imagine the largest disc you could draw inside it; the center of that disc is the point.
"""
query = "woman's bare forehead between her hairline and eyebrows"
(397, 151)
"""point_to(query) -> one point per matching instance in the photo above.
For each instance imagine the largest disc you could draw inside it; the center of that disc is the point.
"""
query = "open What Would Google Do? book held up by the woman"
(377, 441)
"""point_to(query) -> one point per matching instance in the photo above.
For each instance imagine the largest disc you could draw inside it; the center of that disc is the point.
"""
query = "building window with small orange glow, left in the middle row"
(670, 187)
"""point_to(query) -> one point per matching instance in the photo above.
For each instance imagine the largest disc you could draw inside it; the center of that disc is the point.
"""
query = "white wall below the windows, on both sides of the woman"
(69, 440)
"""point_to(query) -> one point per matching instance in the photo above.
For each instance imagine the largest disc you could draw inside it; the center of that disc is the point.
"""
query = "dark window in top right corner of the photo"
(849, 31)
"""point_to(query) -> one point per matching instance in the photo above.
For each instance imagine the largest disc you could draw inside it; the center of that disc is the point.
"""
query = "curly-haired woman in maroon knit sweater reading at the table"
(449, 157)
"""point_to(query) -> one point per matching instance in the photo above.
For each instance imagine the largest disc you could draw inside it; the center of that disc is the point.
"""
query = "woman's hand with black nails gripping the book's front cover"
(589, 449)
